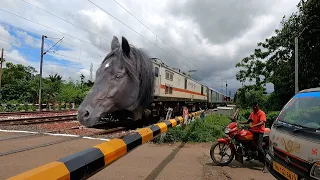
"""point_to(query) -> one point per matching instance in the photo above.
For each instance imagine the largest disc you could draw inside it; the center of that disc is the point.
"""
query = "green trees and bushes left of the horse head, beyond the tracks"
(20, 85)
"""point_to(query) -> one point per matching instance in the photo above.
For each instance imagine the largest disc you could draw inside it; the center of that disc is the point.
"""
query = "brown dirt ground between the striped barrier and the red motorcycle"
(178, 161)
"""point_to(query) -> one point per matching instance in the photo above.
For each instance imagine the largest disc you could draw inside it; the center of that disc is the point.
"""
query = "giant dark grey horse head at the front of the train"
(124, 81)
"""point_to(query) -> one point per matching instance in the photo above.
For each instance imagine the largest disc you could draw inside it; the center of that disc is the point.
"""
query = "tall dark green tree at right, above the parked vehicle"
(273, 60)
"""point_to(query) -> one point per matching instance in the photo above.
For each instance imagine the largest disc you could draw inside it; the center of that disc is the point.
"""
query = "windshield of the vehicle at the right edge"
(302, 110)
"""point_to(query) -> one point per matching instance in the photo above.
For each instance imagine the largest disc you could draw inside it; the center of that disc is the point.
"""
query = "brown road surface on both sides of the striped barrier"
(149, 161)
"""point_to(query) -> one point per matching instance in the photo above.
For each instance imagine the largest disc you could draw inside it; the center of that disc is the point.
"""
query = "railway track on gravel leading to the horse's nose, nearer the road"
(37, 120)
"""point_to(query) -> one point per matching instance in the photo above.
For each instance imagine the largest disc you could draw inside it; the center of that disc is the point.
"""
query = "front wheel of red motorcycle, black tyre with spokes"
(212, 153)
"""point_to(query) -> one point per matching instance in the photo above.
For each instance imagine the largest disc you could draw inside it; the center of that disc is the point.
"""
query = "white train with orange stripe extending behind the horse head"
(174, 89)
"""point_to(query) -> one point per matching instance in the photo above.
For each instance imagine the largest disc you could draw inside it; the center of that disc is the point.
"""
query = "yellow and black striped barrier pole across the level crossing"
(88, 162)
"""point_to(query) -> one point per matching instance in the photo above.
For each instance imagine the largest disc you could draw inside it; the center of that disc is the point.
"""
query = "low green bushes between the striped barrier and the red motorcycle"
(197, 131)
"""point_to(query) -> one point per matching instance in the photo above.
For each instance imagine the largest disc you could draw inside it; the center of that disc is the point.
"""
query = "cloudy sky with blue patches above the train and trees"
(209, 36)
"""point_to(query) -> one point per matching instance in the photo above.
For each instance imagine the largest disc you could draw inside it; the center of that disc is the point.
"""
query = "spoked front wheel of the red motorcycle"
(221, 149)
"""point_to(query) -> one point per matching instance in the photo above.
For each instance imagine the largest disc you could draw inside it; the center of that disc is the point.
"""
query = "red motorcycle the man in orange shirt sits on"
(241, 143)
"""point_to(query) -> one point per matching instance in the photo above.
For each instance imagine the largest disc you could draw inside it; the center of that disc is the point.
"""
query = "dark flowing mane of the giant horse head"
(140, 61)
